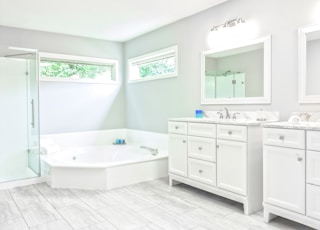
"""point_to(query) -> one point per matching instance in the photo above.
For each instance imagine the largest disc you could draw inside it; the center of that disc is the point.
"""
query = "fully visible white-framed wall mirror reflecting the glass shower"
(237, 74)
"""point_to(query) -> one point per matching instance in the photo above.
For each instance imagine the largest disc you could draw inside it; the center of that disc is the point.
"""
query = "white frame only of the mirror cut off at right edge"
(302, 65)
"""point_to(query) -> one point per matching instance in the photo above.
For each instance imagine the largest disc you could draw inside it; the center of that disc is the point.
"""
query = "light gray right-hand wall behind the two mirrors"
(150, 104)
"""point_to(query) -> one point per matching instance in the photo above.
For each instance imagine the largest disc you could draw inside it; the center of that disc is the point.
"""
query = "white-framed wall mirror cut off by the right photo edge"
(309, 68)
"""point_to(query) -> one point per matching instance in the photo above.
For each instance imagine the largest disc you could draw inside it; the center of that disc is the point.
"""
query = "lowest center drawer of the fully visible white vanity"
(202, 171)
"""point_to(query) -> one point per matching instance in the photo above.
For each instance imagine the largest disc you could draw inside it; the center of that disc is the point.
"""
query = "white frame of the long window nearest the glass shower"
(82, 60)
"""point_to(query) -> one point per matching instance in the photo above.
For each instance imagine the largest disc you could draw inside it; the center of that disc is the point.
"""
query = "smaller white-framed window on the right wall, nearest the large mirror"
(157, 65)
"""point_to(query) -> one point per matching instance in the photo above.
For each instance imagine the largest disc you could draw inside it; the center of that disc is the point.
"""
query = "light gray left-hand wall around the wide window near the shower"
(69, 107)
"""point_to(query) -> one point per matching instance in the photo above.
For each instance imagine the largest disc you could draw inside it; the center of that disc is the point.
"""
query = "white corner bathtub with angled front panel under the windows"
(104, 167)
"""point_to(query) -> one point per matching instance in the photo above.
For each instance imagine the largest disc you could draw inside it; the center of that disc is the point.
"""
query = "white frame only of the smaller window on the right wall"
(149, 57)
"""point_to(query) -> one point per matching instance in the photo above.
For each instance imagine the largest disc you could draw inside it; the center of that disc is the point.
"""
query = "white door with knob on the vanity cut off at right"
(284, 178)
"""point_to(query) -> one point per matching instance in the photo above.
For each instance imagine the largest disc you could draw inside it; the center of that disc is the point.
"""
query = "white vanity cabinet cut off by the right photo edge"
(291, 174)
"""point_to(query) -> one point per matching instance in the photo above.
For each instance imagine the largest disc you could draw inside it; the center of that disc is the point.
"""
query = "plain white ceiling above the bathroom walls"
(114, 20)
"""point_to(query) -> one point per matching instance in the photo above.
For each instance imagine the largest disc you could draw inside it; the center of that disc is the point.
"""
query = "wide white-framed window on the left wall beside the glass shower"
(67, 68)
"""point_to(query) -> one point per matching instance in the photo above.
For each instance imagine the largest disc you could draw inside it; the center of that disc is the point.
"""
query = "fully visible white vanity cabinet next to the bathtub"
(219, 158)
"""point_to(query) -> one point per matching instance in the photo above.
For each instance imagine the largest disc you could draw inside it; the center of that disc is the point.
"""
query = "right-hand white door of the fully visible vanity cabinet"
(232, 166)
